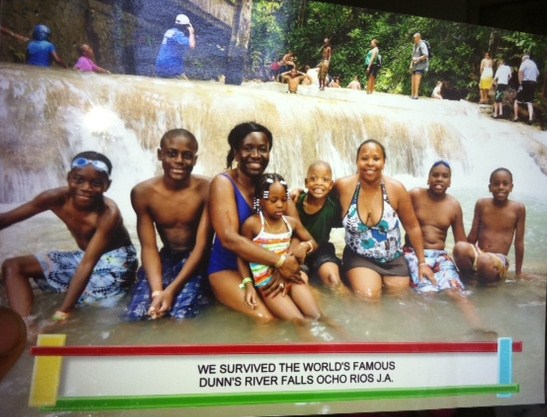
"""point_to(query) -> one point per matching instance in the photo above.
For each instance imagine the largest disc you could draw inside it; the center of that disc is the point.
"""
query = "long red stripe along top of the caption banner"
(271, 349)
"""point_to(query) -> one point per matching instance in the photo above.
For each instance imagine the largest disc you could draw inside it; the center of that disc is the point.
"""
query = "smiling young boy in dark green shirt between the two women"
(319, 213)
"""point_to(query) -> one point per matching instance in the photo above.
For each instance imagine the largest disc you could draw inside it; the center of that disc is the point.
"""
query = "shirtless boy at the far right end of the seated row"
(496, 222)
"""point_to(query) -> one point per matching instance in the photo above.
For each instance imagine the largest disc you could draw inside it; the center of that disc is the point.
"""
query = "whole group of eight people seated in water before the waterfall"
(257, 246)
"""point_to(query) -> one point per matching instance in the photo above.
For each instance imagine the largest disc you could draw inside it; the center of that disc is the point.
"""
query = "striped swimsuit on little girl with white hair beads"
(274, 242)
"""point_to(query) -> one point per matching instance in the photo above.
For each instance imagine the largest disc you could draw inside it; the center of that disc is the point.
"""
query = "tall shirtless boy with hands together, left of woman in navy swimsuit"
(170, 281)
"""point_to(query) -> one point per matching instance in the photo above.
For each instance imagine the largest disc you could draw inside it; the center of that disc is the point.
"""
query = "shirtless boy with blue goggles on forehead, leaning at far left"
(105, 264)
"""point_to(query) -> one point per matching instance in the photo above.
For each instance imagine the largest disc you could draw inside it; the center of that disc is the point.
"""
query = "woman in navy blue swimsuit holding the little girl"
(230, 204)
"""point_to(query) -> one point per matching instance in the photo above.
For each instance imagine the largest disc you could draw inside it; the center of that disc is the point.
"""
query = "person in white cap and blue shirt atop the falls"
(170, 60)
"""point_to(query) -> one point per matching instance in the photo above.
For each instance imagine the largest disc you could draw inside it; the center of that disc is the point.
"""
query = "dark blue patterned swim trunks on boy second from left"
(189, 301)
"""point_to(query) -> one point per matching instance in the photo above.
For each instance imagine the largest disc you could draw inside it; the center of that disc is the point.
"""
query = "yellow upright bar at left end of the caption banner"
(46, 374)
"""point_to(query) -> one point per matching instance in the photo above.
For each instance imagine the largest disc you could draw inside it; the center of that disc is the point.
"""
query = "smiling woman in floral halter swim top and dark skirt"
(375, 207)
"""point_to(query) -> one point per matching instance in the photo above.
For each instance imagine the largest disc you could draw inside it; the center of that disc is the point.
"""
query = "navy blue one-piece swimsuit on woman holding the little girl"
(221, 258)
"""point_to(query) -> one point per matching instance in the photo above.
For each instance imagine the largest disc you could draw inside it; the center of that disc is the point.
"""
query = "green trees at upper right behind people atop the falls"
(301, 26)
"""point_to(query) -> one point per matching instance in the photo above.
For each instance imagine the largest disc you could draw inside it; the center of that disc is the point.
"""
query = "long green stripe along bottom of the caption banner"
(212, 400)
